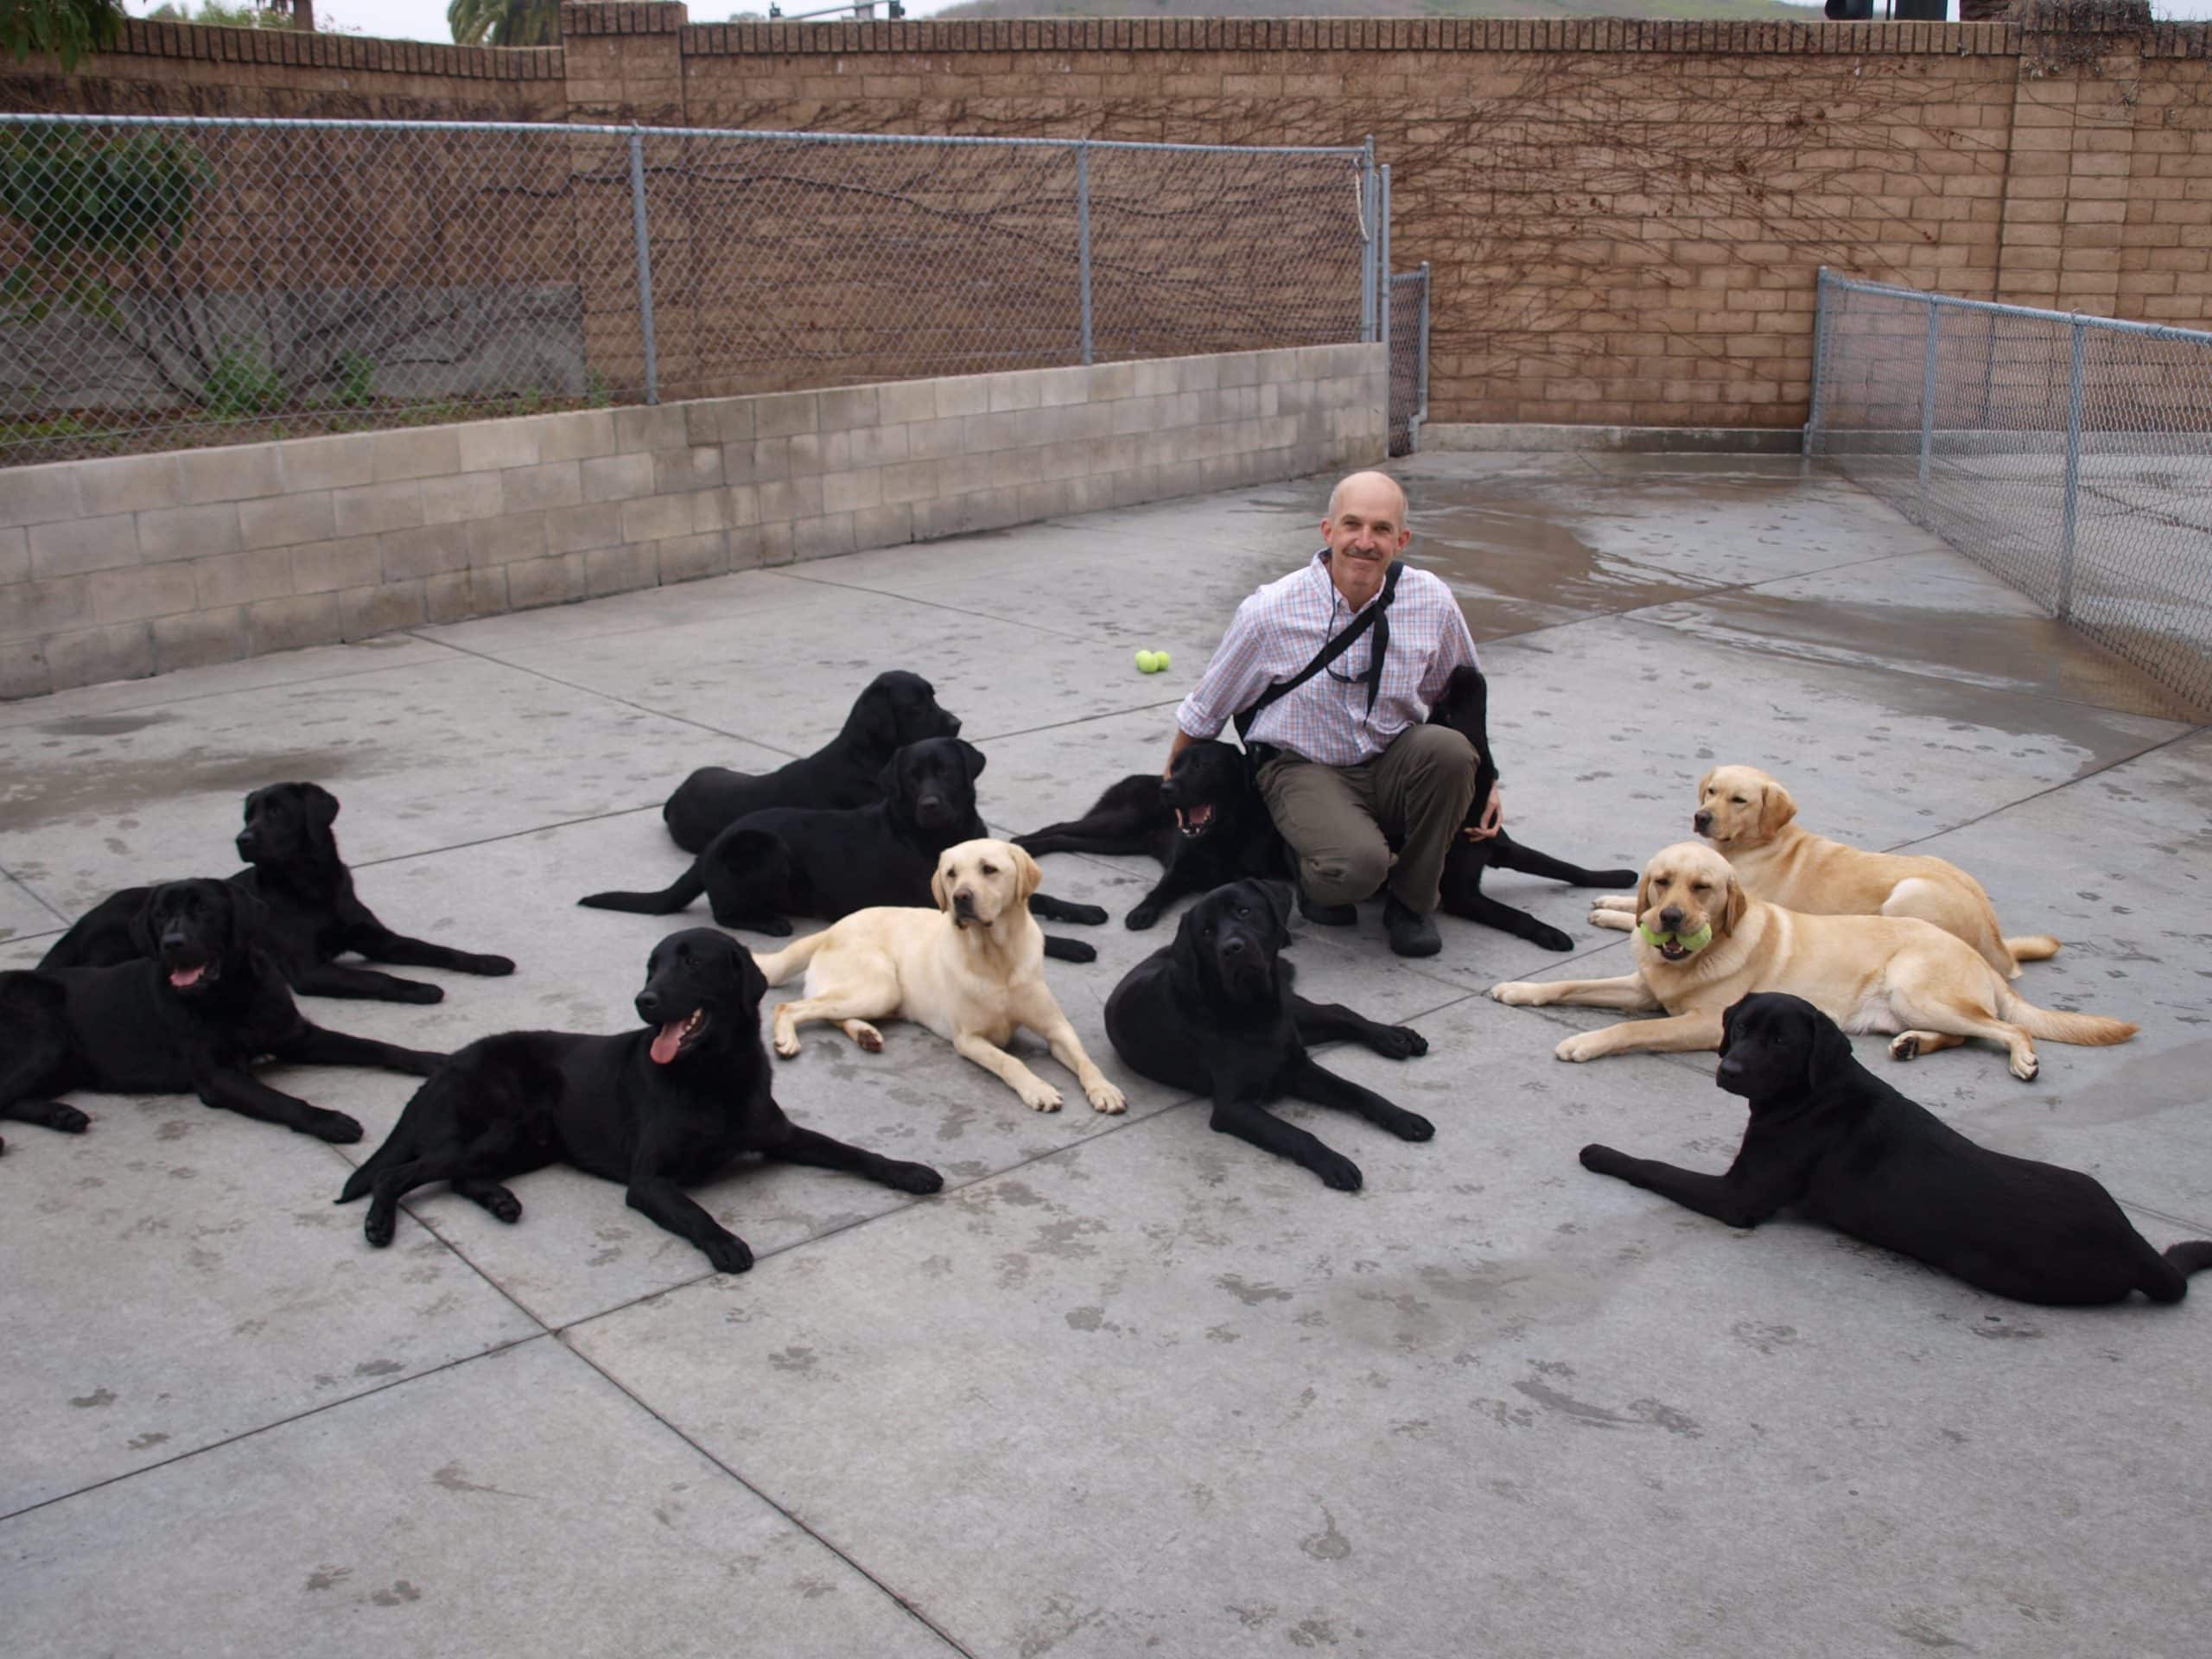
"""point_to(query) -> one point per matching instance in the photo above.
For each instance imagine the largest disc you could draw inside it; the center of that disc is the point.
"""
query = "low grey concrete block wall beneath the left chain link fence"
(112, 570)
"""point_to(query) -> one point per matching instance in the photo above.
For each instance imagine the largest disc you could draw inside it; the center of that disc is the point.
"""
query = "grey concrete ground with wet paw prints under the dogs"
(1129, 1386)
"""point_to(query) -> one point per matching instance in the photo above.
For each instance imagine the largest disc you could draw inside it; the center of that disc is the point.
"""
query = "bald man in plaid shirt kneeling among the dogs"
(1346, 760)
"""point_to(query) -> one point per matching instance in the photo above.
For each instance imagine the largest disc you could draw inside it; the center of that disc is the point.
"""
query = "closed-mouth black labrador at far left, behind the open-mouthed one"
(306, 910)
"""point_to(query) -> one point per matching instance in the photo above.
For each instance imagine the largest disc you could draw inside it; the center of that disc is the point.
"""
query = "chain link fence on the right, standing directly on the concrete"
(2067, 455)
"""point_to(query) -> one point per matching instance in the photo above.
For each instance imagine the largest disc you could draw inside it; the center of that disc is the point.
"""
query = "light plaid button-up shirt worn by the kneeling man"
(1286, 625)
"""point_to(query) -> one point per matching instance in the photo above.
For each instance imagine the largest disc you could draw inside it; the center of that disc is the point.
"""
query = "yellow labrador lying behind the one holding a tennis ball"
(1753, 822)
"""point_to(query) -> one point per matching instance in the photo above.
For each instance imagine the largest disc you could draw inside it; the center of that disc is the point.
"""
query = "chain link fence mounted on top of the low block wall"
(174, 282)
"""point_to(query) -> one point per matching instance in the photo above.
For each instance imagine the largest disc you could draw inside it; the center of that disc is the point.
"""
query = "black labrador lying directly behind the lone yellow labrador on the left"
(800, 862)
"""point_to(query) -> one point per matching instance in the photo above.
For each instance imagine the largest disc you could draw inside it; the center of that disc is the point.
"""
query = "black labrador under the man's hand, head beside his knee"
(1204, 824)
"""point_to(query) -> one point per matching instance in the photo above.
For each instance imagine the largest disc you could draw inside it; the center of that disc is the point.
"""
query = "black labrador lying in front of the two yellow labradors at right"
(1846, 1147)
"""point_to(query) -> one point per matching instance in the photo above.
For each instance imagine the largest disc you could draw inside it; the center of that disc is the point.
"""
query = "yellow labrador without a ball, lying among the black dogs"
(972, 970)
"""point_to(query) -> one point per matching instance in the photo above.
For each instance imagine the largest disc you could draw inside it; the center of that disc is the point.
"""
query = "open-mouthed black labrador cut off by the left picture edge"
(189, 1014)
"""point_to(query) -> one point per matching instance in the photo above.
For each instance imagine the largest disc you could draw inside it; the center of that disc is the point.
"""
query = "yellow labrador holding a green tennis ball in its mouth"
(1704, 943)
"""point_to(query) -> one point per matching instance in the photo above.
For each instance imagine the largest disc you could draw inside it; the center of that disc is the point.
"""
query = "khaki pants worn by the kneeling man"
(1344, 820)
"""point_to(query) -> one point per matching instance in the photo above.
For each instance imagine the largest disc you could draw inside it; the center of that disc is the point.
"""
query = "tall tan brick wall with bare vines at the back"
(1623, 218)
